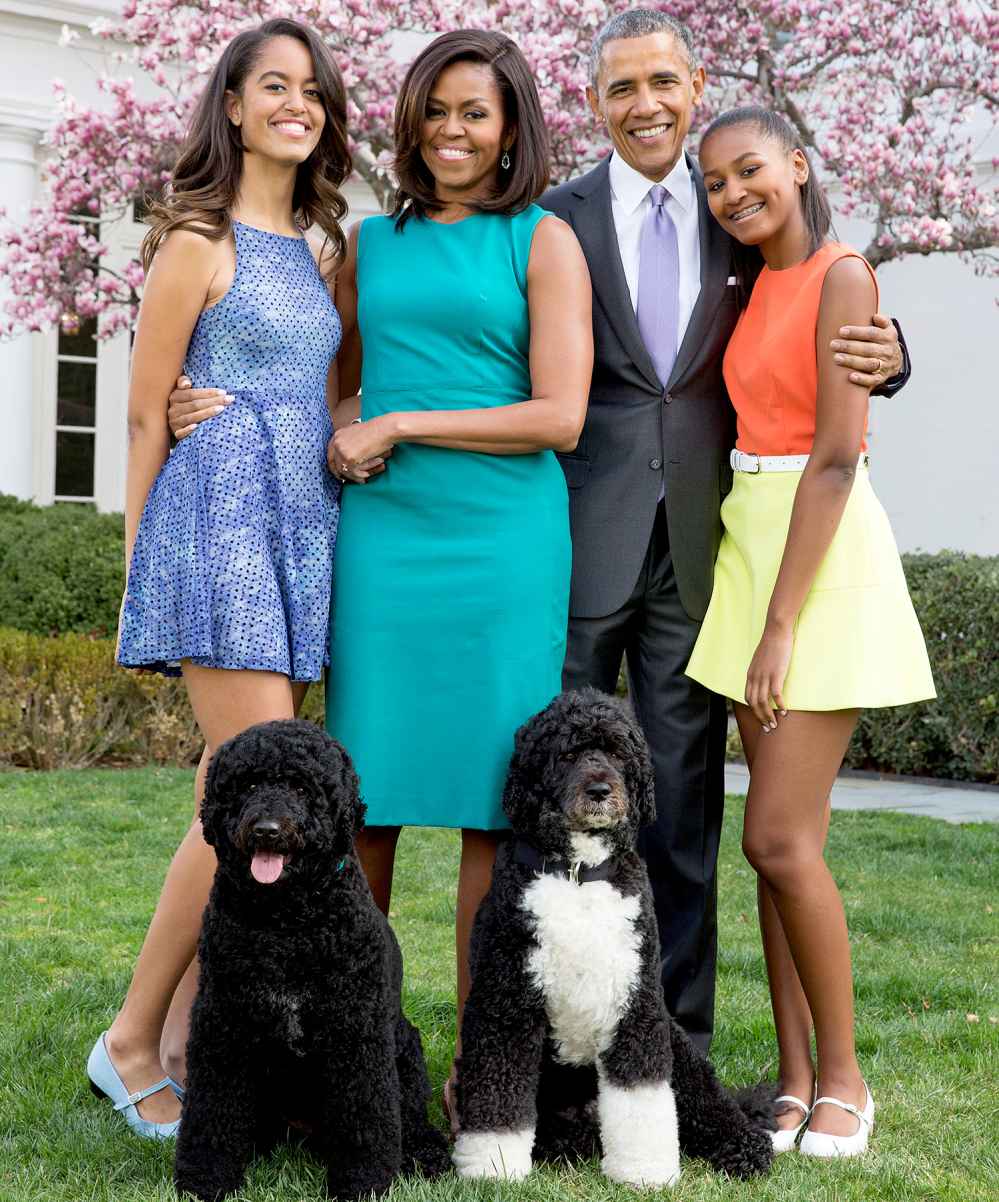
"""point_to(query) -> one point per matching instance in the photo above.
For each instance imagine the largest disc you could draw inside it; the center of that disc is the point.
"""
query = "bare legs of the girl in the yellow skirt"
(787, 820)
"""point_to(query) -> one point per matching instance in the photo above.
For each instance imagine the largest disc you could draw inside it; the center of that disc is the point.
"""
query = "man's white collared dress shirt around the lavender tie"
(631, 204)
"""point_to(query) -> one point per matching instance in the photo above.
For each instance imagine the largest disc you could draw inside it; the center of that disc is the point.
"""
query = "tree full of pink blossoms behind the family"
(894, 102)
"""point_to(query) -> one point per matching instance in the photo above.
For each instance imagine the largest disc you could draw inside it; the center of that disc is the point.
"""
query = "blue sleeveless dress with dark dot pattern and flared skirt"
(233, 562)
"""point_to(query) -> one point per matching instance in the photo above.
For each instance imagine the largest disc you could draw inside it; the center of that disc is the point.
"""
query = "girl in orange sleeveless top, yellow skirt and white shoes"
(811, 618)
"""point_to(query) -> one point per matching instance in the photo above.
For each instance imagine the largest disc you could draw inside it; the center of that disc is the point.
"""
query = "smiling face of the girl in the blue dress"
(280, 111)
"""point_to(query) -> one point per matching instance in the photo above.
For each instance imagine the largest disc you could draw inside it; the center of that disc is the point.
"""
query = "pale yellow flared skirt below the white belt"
(858, 640)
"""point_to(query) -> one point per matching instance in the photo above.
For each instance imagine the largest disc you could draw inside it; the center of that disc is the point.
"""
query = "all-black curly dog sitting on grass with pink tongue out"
(298, 1017)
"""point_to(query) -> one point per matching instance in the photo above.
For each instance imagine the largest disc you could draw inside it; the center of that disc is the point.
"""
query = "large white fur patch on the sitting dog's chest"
(587, 961)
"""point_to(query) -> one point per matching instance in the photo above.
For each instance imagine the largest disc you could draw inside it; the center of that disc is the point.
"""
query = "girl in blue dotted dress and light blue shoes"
(230, 539)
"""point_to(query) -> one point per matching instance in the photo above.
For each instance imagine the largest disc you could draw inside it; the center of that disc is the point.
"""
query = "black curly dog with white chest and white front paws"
(567, 1045)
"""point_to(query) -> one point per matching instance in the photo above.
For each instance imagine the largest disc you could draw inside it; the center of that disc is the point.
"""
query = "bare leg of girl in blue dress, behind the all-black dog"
(224, 704)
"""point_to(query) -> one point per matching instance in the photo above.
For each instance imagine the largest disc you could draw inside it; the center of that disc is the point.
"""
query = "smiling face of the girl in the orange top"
(754, 188)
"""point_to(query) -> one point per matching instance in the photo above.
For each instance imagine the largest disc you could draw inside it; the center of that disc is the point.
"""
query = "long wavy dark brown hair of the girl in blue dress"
(206, 180)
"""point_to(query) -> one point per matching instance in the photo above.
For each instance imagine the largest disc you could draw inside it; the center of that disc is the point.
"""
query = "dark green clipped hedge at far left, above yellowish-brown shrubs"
(62, 568)
